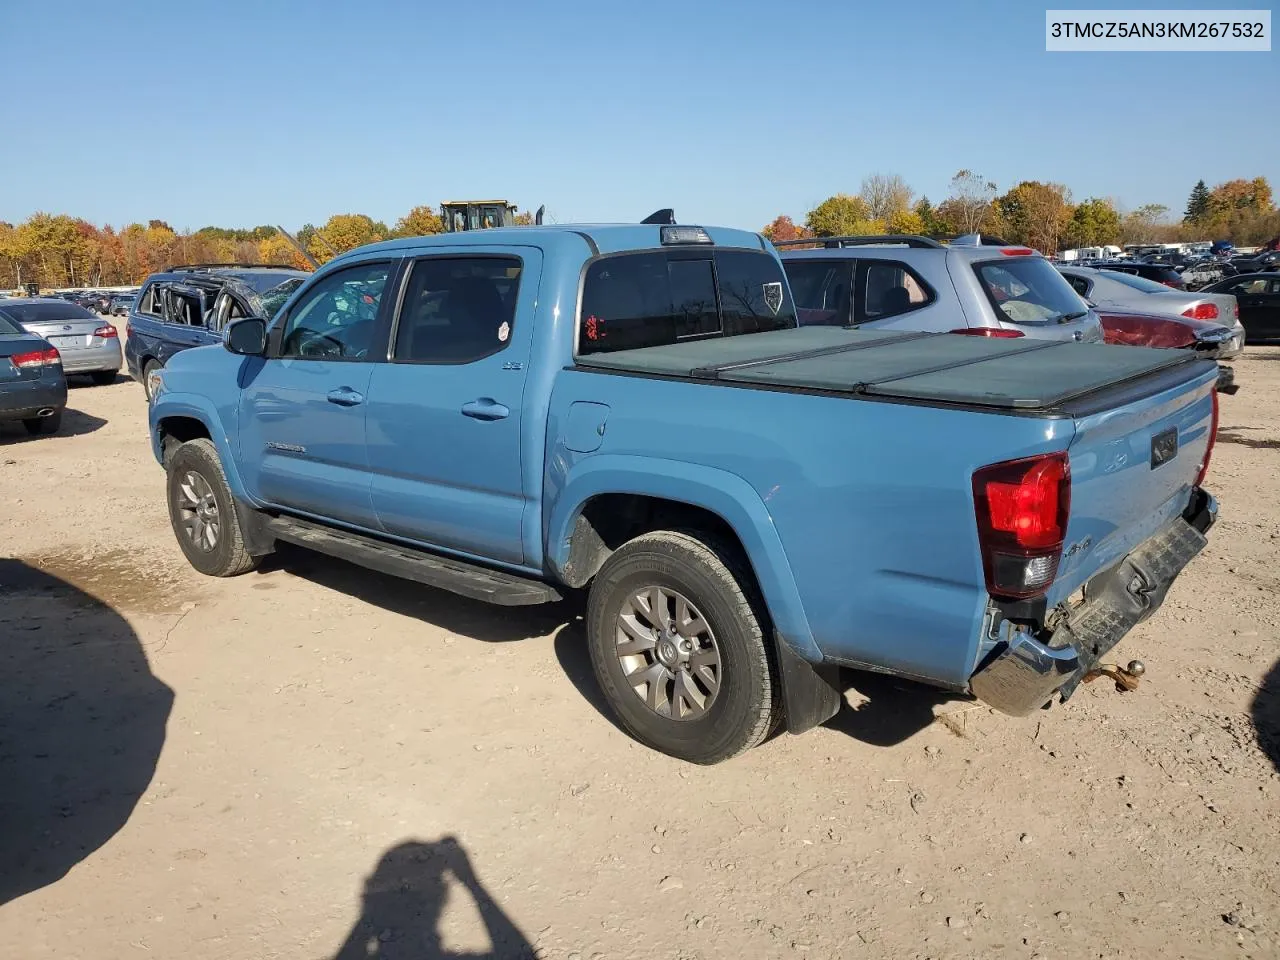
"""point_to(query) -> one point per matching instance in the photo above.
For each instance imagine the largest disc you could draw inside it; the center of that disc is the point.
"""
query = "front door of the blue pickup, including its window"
(303, 409)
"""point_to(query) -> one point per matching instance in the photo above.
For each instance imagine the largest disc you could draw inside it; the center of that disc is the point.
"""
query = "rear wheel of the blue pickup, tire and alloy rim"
(720, 593)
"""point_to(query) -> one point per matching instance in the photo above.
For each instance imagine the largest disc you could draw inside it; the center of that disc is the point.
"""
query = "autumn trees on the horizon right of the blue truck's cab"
(1041, 216)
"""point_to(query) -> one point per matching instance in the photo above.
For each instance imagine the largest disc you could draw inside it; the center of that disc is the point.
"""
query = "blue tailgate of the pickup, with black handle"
(1133, 467)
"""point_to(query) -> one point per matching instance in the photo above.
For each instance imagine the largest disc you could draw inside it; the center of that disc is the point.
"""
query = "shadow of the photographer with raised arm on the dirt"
(405, 898)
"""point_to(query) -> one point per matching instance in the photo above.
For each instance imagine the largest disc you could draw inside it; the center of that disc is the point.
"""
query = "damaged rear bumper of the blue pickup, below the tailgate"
(1026, 671)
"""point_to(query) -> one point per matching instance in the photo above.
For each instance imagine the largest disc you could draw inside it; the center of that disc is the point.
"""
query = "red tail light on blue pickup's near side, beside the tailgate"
(1023, 508)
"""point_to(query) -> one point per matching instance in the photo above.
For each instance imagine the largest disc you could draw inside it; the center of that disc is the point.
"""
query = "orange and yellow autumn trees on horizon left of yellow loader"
(56, 250)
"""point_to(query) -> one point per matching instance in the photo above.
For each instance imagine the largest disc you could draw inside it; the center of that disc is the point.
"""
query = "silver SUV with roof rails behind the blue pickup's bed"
(975, 285)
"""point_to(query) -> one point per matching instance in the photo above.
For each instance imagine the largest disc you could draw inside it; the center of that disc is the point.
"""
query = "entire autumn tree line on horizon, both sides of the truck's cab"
(56, 250)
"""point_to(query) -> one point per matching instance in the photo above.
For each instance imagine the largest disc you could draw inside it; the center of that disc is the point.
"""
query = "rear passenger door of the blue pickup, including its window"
(445, 415)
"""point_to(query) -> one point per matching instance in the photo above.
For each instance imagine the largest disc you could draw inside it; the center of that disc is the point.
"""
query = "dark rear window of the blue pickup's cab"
(662, 298)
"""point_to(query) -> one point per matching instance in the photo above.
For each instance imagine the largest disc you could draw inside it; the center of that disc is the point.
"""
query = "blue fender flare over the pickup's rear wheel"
(726, 495)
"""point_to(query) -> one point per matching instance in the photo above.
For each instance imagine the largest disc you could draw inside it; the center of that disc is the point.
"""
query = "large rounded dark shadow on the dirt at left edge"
(83, 721)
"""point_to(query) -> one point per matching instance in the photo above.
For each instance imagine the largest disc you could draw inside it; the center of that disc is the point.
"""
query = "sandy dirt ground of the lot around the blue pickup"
(316, 761)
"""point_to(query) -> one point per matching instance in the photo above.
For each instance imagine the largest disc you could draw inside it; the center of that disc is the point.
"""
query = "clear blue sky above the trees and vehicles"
(244, 113)
